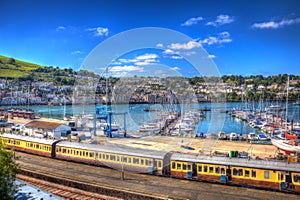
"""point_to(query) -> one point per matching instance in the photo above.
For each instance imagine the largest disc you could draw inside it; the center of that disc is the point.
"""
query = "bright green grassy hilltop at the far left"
(12, 68)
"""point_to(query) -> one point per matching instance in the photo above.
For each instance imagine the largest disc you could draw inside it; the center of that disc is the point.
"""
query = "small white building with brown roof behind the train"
(47, 129)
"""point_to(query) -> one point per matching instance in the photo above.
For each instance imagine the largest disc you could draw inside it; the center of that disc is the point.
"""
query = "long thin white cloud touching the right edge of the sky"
(276, 25)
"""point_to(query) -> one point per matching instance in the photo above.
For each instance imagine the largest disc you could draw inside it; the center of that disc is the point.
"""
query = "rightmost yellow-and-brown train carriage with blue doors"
(257, 173)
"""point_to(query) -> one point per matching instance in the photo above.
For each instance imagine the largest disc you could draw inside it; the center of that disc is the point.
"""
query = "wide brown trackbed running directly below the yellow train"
(140, 186)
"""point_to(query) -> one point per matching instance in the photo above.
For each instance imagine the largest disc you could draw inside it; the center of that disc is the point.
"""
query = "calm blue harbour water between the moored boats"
(214, 122)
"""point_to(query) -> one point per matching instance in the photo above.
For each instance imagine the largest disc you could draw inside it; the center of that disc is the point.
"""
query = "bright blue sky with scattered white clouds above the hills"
(241, 37)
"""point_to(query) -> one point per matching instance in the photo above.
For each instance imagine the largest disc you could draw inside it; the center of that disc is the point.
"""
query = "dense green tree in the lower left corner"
(8, 171)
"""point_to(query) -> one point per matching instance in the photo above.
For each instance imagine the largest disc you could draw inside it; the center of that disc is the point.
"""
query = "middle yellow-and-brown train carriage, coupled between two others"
(112, 156)
